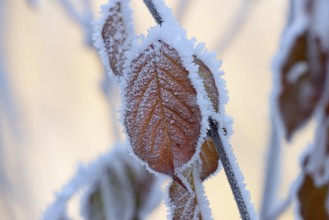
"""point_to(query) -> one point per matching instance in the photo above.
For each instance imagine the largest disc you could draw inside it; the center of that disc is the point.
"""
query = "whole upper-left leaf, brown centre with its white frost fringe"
(114, 35)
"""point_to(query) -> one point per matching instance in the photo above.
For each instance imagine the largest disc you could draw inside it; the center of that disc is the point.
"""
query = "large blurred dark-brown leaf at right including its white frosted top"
(302, 67)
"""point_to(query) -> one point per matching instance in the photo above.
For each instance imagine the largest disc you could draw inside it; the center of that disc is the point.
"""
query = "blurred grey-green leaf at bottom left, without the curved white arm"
(122, 191)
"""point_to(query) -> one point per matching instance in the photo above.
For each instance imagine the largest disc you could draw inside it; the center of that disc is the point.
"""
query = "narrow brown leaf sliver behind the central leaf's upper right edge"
(208, 83)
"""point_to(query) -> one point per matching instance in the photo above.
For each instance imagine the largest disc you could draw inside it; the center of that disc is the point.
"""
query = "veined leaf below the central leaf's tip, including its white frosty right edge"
(188, 203)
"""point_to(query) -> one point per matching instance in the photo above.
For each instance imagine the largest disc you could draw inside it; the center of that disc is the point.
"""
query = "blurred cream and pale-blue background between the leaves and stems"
(58, 110)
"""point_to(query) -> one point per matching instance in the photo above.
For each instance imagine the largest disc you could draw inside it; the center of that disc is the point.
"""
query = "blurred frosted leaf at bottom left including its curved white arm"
(116, 187)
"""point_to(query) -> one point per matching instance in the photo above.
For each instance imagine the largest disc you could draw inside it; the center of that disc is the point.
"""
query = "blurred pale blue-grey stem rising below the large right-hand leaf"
(271, 173)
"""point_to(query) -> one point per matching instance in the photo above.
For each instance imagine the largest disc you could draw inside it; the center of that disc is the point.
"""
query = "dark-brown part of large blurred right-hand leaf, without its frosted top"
(303, 75)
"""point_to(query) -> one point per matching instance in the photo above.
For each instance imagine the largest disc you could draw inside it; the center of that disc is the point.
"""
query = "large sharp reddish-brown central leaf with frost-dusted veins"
(162, 118)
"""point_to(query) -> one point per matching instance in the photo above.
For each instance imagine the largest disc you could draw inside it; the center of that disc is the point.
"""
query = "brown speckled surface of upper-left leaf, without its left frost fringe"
(114, 36)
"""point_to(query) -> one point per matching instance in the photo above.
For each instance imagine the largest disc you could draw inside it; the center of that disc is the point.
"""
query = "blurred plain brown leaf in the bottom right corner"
(312, 200)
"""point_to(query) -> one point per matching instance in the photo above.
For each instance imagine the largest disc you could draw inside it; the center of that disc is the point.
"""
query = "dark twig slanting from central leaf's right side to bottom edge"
(229, 171)
